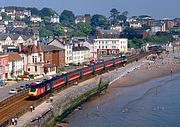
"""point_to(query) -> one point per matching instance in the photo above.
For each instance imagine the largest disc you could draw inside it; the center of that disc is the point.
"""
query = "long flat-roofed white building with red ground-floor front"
(110, 46)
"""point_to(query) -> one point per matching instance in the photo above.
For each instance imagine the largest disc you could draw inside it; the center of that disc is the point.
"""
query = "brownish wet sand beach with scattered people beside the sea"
(149, 71)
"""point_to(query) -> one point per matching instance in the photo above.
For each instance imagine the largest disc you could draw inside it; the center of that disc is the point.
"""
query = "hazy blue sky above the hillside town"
(156, 8)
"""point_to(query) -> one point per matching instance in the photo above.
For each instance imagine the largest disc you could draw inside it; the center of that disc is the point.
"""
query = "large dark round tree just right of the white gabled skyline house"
(67, 18)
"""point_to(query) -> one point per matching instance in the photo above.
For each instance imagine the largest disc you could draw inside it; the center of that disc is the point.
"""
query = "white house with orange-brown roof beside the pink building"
(15, 65)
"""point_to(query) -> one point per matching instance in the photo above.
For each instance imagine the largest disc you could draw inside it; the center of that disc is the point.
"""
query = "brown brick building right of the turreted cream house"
(54, 55)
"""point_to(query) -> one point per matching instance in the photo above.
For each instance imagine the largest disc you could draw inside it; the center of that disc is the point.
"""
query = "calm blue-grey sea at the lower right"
(155, 103)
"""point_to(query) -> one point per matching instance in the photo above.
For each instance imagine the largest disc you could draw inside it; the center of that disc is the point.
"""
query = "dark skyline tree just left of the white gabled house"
(47, 12)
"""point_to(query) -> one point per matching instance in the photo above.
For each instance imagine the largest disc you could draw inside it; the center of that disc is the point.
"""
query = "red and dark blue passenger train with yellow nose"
(39, 90)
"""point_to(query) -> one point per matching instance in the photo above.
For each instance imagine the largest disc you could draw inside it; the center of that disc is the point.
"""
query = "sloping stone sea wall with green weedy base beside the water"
(66, 101)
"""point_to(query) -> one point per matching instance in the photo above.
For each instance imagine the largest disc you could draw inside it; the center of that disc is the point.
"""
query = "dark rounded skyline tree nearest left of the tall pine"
(99, 21)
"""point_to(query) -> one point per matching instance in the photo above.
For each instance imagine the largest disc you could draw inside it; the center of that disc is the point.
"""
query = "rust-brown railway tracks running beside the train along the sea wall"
(19, 105)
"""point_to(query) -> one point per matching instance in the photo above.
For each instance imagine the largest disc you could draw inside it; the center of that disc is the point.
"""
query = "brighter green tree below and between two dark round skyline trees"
(84, 28)
